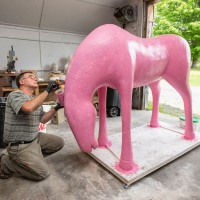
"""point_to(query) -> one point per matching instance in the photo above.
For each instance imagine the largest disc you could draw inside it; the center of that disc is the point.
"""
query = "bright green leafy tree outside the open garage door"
(181, 17)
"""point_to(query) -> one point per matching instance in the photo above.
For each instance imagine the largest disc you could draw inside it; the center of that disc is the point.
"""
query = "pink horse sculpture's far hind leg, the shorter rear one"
(155, 88)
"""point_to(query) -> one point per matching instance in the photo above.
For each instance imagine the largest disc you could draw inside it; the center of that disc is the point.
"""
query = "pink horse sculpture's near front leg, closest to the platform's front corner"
(126, 160)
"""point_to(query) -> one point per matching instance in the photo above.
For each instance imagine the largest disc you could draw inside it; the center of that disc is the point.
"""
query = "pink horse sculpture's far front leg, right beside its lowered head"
(103, 136)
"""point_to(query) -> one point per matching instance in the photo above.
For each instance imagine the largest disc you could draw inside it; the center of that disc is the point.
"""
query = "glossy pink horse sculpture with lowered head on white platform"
(112, 57)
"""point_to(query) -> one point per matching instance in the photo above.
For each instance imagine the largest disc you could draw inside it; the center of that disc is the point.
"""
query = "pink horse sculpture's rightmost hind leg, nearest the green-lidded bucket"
(184, 90)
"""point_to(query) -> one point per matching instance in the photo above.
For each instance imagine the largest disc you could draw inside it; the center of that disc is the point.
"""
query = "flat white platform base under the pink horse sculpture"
(152, 149)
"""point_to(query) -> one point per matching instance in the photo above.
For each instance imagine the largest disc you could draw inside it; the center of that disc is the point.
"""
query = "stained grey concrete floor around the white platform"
(77, 176)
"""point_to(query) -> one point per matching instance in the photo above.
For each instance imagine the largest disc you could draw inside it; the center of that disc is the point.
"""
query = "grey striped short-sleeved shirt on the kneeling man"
(20, 126)
